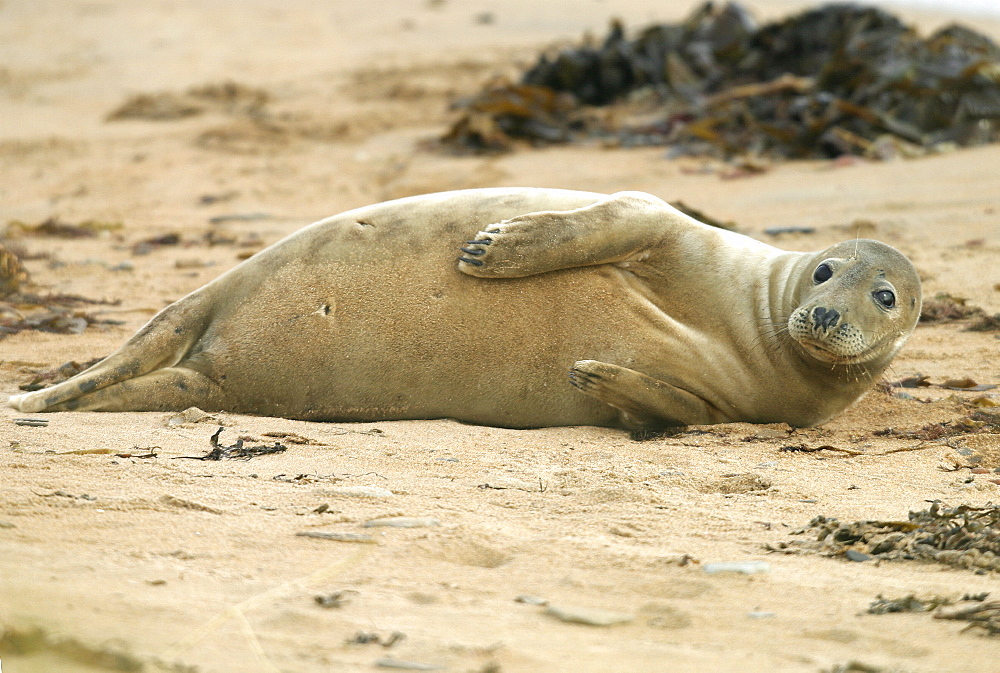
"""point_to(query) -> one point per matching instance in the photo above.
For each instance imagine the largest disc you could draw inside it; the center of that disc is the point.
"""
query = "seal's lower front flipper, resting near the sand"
(645, 402)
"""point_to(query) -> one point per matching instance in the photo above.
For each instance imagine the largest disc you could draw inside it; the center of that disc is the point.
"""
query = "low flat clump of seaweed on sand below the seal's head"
(962, 536)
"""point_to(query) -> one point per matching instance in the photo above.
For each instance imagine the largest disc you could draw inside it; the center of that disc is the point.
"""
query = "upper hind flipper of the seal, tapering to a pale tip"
(162, 343)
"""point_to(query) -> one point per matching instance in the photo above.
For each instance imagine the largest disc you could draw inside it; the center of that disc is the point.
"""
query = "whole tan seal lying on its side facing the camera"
(658, 319)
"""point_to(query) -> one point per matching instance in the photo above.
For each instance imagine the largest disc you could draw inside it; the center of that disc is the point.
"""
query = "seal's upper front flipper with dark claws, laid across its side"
(611, 230)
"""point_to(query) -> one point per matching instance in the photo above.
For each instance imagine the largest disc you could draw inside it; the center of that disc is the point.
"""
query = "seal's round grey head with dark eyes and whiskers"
(859, 303)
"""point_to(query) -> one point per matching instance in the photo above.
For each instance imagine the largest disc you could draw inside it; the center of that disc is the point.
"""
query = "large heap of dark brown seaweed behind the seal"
(841, 79)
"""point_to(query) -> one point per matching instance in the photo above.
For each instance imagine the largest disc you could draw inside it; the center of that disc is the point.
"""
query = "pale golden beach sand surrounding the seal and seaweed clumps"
(117, 553)
